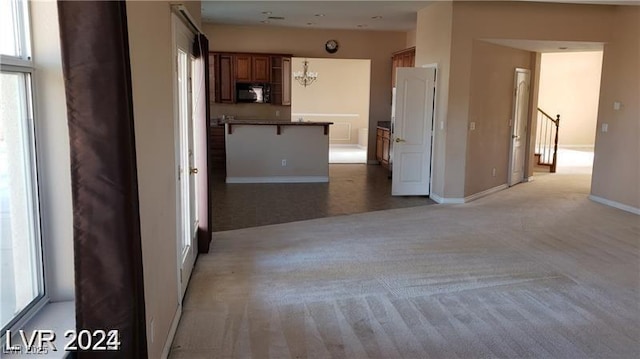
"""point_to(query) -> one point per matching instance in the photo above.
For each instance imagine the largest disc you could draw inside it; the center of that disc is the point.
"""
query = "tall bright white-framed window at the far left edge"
(21, 267)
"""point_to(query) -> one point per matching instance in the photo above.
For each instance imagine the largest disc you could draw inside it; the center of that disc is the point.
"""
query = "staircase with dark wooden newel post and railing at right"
(546, 151)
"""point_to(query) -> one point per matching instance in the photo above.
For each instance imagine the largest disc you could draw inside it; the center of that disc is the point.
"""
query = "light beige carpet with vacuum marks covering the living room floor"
(534, 271)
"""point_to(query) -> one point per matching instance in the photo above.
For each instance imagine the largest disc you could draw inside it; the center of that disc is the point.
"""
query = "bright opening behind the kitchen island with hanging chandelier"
(340, 94)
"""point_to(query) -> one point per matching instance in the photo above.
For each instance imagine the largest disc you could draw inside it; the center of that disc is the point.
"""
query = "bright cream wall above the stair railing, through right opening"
(570, 86)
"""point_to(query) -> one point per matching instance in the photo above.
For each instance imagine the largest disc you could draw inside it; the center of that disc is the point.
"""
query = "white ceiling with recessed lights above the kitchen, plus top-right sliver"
(333, 14)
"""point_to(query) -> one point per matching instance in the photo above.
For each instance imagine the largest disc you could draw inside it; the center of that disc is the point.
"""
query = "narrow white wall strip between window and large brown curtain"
(53, 151)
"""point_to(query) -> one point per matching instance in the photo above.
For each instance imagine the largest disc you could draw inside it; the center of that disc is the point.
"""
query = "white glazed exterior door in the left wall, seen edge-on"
(185, 153)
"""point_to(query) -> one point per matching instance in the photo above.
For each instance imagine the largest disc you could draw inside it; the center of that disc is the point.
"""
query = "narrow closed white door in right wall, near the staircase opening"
(519, 126)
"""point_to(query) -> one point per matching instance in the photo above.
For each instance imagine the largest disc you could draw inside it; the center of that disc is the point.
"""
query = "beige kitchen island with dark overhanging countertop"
(262, 151)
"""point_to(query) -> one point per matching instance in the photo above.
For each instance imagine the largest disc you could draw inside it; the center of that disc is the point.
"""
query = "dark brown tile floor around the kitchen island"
(352, 188)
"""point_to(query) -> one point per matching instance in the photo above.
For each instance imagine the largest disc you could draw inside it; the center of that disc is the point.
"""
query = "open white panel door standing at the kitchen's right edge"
(412, 131)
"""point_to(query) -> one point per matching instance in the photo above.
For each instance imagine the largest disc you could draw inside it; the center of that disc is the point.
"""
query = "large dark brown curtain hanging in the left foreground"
(107, 250)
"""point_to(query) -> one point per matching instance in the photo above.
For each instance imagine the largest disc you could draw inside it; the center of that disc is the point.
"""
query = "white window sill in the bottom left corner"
(56, 317)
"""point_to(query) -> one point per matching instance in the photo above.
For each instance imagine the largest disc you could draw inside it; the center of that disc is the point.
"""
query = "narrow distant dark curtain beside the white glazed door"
(201, 51)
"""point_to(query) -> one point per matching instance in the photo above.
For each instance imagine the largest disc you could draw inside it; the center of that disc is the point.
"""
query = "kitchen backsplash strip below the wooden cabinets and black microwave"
(251, 111)
